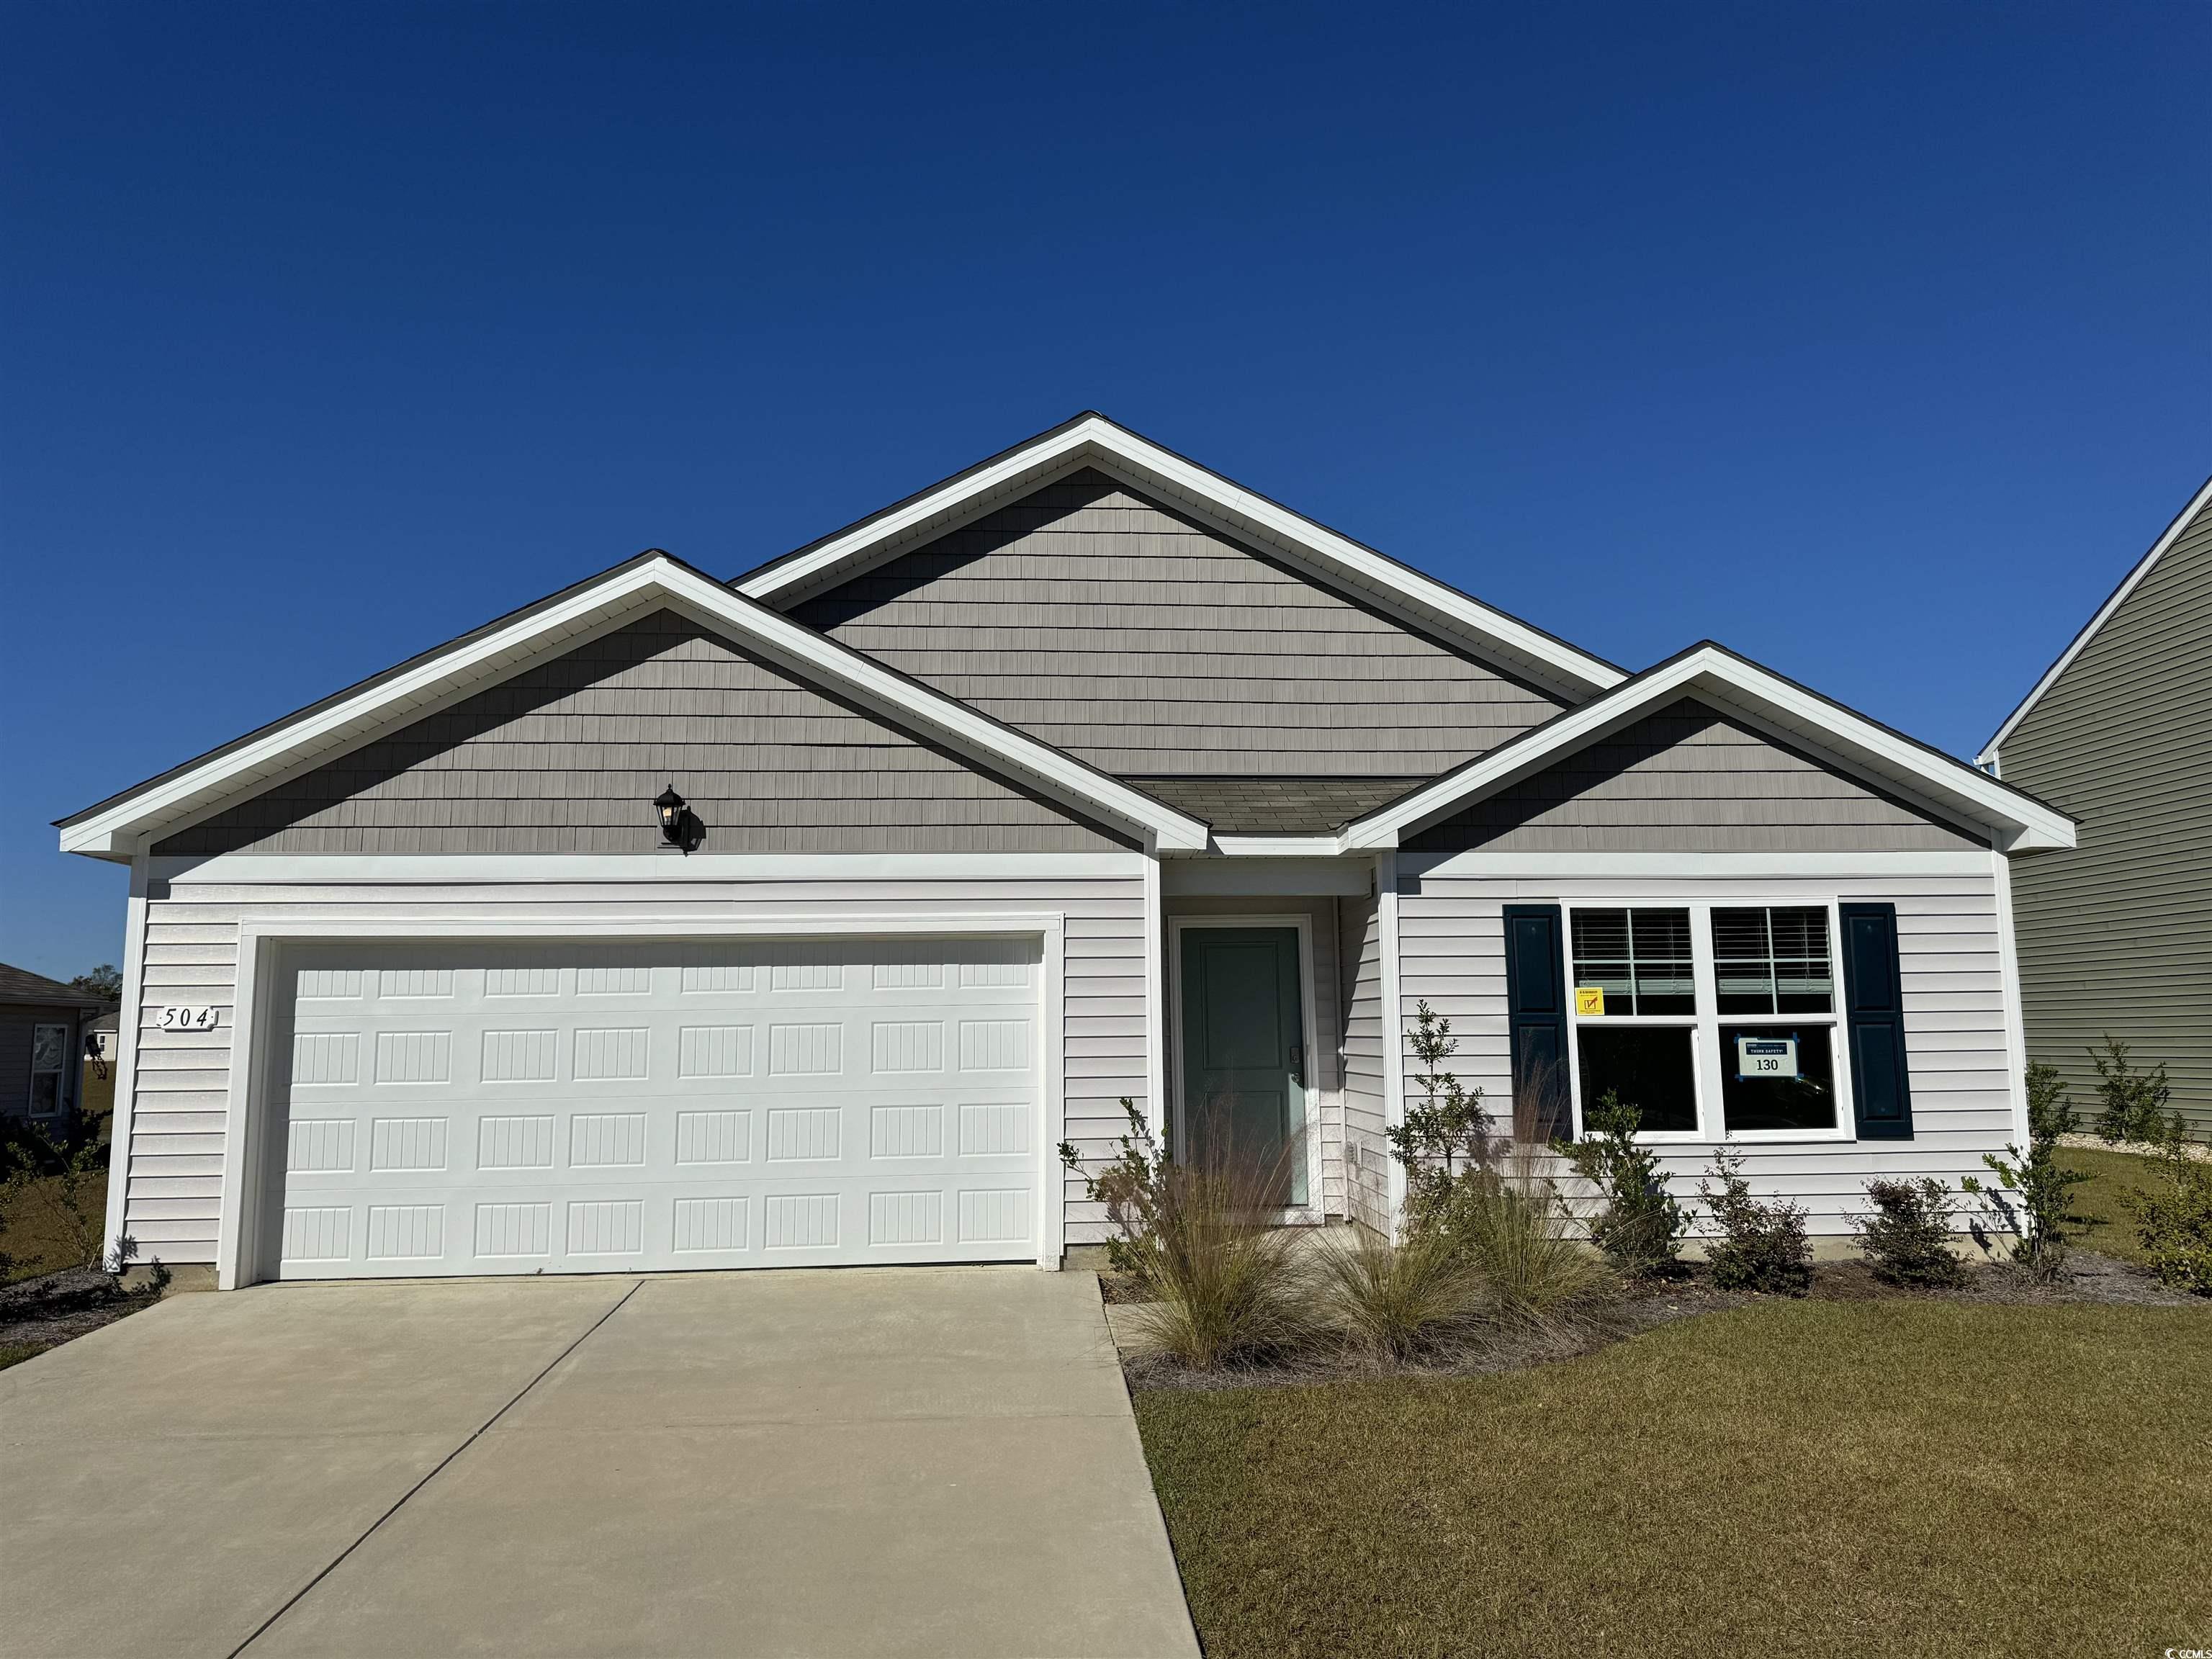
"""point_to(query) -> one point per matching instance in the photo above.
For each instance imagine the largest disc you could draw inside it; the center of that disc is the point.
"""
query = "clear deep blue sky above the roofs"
(1870, 340)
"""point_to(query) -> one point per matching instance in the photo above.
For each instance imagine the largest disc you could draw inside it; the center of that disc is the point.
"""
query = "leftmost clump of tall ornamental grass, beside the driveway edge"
(1227, 1284)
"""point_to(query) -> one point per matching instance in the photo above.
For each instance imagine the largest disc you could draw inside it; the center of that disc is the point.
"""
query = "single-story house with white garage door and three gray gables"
(797, 919)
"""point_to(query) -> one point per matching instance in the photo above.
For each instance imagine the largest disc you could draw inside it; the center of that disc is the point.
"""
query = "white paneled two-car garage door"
(576, 1107)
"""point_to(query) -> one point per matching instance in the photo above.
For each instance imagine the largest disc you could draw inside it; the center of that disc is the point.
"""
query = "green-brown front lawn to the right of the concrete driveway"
(1788, 1479)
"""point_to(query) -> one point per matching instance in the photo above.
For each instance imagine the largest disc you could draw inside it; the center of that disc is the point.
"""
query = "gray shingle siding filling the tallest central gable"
(1149, 645)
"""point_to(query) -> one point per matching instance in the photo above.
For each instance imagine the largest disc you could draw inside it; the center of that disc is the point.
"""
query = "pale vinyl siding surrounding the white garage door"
(185, 1078)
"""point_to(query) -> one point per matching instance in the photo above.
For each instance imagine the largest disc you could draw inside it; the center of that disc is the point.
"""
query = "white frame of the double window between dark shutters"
(1707, 1058)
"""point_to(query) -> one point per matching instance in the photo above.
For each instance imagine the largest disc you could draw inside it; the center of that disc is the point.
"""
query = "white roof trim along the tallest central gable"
(1100, 444)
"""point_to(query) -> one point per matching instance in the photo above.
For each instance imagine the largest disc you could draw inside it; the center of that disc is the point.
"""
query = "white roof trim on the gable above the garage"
(132, 822)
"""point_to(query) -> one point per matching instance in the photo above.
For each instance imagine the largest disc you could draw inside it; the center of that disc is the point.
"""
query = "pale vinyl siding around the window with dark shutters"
(1954, 1016)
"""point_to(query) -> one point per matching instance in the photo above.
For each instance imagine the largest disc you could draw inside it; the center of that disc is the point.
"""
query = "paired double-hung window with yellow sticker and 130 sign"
(1709, 1019)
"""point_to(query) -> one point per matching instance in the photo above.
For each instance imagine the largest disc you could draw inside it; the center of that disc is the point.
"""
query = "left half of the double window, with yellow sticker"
(1636, 1036)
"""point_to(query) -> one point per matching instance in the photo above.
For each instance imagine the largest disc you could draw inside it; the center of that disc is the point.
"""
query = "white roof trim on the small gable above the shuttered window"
(1766, 700)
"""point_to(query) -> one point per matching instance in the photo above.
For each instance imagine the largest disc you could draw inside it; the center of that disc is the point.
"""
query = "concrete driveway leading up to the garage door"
(831, 1463)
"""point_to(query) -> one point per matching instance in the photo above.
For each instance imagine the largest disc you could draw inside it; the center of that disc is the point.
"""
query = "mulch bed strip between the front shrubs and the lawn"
(1510, 1348)
